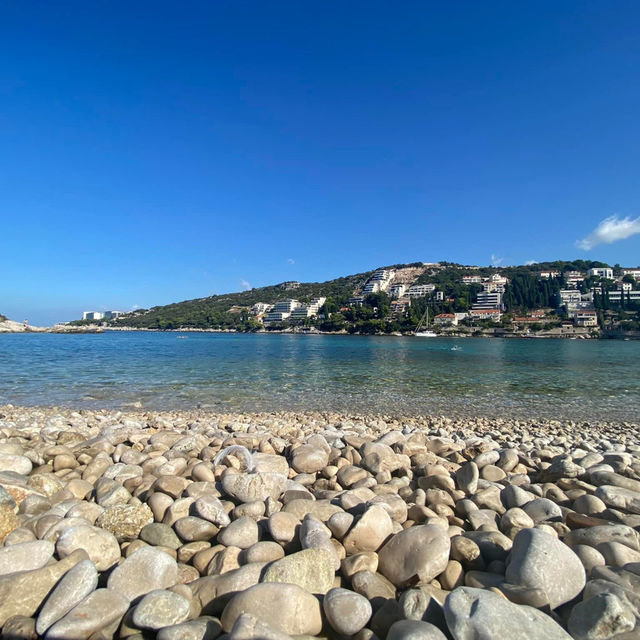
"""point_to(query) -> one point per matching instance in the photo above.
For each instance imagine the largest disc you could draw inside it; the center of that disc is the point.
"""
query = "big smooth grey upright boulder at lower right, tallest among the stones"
(540, 561)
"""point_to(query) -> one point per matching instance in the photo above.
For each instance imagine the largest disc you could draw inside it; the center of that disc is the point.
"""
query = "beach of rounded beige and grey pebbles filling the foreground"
(194, 525)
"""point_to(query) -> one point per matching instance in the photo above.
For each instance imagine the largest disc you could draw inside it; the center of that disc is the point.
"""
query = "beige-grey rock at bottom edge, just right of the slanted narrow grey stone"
(99, 611)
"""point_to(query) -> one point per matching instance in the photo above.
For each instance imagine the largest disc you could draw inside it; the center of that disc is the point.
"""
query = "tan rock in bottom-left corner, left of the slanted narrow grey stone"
(22, 593)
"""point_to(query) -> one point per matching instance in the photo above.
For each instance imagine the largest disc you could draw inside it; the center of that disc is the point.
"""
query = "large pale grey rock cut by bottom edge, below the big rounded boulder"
(478, 614)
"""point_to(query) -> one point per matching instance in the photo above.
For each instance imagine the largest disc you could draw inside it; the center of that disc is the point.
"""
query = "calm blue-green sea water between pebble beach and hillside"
(583, 380)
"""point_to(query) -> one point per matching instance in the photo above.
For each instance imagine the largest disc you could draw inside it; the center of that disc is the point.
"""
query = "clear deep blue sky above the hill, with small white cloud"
(152, 152)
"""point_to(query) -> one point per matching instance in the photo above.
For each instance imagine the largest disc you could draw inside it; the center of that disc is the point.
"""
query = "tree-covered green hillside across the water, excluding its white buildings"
(457, 287)
